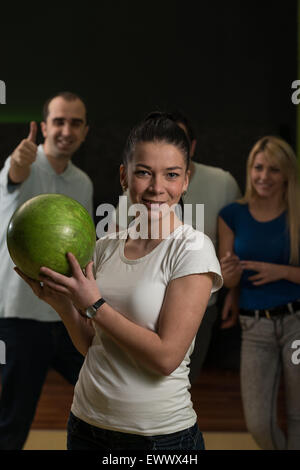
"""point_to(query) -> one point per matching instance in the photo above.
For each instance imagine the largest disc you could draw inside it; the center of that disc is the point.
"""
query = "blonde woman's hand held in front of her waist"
(266, 272)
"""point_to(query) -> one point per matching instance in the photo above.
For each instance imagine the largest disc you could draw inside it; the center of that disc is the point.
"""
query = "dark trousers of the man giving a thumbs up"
(32, 347)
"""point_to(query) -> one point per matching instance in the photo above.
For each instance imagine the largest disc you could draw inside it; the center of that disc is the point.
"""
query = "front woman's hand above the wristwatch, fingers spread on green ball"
(81, 289)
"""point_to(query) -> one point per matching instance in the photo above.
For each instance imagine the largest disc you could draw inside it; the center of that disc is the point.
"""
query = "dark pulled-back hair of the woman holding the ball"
(157, 127)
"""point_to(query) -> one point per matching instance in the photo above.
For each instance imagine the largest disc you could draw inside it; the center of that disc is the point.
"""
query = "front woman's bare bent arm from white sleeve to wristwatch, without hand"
(163, 351)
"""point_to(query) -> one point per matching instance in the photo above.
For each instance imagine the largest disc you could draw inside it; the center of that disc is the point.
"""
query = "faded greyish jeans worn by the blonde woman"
(266, 354)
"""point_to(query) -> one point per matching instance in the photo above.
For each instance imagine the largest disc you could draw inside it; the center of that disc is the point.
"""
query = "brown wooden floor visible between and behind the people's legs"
(216, 397)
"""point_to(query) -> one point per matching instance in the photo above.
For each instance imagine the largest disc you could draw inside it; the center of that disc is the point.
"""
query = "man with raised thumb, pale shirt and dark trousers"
(34, 336)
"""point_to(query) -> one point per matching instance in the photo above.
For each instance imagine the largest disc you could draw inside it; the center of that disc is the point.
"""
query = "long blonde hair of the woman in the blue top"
(282, 154)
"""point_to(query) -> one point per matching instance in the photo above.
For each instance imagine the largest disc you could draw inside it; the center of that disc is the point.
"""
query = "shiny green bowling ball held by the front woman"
(44, 229)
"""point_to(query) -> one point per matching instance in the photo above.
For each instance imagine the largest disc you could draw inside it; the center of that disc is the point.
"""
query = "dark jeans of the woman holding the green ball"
(83, 436)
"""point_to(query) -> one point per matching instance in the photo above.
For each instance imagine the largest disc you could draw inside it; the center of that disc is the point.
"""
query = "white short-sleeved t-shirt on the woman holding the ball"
(115, 390)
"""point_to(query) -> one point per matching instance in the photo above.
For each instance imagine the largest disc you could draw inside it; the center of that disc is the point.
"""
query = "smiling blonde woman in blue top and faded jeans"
(259, 253)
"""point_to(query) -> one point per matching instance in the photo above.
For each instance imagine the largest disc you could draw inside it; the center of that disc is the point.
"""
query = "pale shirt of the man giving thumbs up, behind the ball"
(16, 297)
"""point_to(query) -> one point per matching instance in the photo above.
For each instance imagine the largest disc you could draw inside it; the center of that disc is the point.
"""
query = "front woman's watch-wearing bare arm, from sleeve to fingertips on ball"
(181, 314)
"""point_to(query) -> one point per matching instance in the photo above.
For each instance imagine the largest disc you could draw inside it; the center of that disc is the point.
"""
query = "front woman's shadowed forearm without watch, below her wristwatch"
(79, 329)
